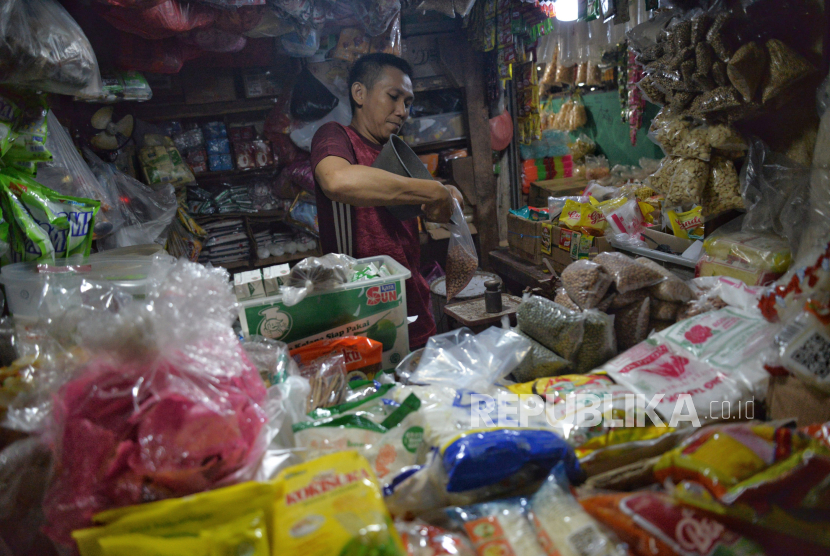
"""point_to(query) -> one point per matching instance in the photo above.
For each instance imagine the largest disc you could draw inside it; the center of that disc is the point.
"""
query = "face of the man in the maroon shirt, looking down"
(386, 104)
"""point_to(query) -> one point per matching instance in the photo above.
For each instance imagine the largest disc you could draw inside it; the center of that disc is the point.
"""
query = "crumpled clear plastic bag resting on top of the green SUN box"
(315, 274)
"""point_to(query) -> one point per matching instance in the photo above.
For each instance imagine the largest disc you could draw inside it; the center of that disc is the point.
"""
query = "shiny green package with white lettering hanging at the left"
(76, 239)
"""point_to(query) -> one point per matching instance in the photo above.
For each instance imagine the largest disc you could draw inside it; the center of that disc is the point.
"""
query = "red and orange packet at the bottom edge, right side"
(652, 524)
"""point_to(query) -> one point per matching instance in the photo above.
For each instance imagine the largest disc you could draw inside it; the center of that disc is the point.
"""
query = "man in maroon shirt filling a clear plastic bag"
(352, 196)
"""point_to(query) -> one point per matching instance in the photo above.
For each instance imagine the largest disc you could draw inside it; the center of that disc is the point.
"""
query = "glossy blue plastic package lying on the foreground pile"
(489, 457)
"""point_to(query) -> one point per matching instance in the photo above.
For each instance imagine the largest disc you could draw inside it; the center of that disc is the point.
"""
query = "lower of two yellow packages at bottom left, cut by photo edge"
(245, 535)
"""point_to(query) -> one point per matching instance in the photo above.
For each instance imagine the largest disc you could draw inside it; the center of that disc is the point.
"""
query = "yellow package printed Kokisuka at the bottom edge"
(333, 506)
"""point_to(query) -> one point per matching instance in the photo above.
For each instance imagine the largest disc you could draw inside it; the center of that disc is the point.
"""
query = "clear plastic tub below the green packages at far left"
(24, 282)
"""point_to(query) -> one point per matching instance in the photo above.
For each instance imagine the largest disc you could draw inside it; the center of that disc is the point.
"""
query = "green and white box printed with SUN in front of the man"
(372, 308)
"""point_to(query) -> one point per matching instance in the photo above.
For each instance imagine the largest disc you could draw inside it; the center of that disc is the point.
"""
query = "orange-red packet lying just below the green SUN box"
(363, 357)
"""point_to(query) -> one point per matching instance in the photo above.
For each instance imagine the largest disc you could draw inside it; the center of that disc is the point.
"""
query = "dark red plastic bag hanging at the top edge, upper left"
(162, 21)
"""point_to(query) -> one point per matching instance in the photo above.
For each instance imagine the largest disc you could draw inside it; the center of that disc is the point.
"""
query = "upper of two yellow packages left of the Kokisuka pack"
(188, 516)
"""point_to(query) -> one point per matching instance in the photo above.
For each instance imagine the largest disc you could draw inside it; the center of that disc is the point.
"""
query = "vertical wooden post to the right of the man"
(467, 67)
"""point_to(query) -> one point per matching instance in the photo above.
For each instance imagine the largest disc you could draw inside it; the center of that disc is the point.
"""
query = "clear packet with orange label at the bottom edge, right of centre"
(498, 527)
